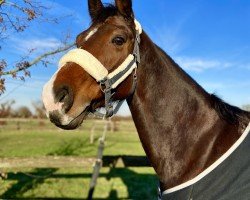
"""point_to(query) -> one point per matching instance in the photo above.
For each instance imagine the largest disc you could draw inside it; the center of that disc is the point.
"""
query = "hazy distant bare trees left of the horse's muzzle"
(7, 110)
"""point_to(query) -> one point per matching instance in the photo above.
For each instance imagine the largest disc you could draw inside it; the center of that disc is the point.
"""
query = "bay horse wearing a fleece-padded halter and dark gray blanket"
(197, 144)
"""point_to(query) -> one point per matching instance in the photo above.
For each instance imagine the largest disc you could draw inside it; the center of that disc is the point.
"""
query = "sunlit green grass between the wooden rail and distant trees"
(32, 140)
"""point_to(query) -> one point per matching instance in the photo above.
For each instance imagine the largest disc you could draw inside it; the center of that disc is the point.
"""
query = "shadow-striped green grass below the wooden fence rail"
(119, 183)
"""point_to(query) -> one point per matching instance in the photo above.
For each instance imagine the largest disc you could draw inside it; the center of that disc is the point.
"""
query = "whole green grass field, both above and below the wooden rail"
(40, 138)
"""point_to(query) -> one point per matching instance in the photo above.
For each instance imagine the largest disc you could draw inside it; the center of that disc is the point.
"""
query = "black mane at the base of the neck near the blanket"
(231, 114)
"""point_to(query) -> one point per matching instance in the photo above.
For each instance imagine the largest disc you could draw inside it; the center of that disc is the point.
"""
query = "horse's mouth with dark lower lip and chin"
(76, 122)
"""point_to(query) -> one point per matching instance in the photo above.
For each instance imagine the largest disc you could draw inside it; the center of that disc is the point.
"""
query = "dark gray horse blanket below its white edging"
(229, 181)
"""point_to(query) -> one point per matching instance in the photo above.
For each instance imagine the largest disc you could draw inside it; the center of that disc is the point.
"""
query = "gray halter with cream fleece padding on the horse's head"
(108, 81)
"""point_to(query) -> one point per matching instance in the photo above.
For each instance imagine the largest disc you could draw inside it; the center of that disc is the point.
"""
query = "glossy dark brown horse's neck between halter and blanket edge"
(176, 124)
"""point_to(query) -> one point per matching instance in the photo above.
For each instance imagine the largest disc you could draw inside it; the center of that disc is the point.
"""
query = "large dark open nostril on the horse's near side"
(64, 95)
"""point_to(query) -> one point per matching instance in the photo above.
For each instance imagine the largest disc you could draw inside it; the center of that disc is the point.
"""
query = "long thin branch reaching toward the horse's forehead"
(36, 60)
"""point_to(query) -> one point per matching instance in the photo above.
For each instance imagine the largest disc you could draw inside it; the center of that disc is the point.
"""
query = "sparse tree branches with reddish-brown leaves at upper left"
(15, 16)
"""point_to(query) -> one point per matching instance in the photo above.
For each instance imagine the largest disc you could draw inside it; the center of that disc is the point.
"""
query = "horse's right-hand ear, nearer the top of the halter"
(125, 7)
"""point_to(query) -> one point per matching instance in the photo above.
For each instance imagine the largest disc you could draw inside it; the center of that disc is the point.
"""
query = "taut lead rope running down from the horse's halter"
(99, 161)
